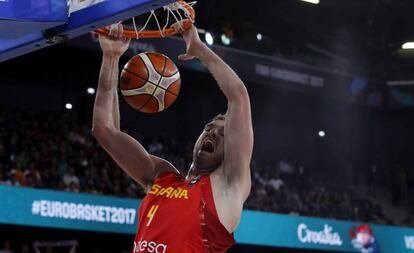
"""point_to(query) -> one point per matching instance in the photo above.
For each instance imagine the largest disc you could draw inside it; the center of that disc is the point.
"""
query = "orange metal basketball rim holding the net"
(150, 34)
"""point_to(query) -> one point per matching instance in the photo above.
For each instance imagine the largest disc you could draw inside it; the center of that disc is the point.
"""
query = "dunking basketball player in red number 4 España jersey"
(182, 215)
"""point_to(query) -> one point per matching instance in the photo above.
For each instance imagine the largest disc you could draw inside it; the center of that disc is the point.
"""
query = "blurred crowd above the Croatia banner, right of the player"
(287, 189)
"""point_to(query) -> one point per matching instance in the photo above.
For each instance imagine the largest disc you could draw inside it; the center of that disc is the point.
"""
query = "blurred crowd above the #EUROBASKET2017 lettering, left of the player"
(52, 151)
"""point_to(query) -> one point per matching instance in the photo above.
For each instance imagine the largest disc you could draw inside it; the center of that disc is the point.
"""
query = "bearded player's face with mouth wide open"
(208, 152)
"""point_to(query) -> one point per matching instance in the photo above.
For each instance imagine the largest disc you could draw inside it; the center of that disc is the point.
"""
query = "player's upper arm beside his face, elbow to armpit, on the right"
(238, 132)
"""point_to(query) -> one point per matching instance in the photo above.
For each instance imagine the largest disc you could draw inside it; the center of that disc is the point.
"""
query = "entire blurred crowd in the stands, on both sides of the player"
(54, 151)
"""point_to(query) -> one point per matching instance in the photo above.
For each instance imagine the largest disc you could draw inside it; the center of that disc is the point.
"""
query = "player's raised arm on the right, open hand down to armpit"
(238, 131)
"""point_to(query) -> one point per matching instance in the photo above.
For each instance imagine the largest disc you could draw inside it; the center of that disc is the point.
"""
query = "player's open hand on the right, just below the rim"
(192, 40)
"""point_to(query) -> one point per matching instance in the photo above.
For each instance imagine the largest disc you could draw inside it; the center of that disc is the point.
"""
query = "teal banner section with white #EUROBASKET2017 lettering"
(52, 209)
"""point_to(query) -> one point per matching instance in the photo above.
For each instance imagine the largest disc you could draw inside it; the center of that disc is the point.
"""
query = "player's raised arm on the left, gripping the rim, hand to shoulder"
(127, 152)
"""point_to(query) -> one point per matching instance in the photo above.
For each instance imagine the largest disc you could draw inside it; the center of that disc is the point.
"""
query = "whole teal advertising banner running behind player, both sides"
(52, 209)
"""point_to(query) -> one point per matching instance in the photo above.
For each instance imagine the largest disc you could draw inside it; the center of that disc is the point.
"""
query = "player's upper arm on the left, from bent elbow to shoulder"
(130, 155)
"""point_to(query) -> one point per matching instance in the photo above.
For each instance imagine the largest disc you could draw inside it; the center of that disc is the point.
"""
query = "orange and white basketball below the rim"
(150, 82)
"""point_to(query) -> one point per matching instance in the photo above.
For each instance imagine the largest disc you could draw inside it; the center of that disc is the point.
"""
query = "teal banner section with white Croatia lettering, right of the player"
(312, 233)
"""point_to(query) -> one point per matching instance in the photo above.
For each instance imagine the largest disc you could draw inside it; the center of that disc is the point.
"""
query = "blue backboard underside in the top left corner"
(25, 27)
